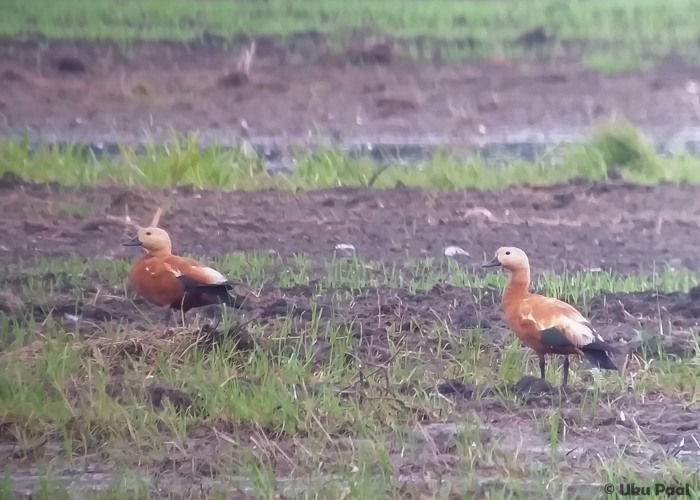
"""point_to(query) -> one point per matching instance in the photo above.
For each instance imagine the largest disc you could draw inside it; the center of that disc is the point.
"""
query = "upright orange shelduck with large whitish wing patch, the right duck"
(545, 324)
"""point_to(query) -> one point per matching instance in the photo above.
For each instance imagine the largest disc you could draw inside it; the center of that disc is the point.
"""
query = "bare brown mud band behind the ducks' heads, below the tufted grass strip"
(578, 225)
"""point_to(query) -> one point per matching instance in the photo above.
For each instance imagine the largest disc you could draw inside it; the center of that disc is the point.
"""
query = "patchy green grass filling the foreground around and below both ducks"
(276, 408)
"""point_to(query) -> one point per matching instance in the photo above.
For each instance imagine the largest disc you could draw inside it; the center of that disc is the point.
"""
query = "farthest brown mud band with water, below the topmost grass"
(299, 88)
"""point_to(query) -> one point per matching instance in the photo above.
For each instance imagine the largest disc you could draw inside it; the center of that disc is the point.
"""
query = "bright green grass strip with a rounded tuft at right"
(616, 147)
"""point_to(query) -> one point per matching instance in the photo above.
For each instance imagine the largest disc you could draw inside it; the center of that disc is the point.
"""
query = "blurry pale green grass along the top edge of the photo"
(637, 29)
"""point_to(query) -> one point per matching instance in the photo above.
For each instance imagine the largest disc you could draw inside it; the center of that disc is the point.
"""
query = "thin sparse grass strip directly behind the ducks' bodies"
(355, 274)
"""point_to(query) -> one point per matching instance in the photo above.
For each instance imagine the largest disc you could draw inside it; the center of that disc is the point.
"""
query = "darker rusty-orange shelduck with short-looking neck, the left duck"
(171, 281)
